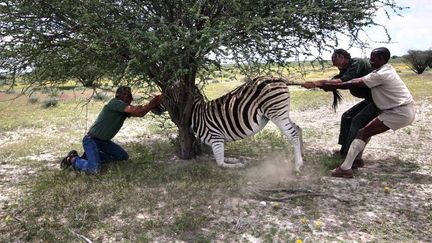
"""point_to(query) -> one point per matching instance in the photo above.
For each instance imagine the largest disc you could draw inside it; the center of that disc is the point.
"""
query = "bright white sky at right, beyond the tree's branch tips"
(411, 31)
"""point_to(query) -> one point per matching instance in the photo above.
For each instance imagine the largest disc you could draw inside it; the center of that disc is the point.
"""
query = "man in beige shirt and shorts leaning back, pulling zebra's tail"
(390, 95)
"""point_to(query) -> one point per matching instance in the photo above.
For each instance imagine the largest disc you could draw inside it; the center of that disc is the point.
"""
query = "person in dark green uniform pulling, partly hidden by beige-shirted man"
(360, 114)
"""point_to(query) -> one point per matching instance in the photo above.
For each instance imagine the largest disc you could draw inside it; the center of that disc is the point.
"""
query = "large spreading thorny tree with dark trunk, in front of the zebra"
(159, 41)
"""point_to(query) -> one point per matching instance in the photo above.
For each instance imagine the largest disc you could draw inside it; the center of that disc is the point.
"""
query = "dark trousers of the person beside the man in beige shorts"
(353, 120)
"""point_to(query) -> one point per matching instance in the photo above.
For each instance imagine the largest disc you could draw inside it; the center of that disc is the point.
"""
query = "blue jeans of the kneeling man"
(98, 151)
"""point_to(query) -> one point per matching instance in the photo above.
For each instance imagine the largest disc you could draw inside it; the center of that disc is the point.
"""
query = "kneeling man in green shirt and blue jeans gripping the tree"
(97, 143)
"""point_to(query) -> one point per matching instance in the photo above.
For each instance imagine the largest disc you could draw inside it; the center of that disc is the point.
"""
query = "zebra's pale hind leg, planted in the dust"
(294, 133)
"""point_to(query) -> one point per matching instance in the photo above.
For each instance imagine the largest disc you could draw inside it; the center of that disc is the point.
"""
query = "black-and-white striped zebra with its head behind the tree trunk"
(244, 112)
